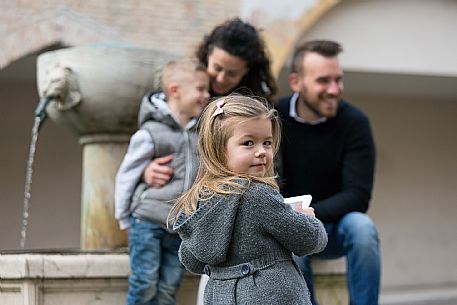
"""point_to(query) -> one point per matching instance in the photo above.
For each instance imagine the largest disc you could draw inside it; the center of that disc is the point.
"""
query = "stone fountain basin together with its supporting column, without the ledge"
(96, 91)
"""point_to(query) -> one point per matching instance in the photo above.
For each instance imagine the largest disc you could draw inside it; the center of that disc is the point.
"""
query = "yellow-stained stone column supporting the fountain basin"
(102, 155)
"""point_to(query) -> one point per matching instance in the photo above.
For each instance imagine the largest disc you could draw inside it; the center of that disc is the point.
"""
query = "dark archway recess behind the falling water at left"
(54, 215)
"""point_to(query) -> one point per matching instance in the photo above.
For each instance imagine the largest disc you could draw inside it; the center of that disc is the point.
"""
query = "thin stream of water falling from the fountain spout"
(28, 180)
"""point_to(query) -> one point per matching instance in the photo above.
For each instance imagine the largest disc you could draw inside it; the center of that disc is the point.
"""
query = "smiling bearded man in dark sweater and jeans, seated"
(328, 151)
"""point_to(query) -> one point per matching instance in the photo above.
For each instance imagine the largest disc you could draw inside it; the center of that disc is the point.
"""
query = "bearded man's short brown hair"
(325, 48)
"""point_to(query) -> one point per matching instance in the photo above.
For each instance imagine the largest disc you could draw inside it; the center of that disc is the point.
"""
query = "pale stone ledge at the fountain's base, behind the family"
(82, 278)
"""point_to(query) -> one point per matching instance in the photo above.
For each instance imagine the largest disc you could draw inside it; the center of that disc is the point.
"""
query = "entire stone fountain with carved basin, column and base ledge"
(95, 91)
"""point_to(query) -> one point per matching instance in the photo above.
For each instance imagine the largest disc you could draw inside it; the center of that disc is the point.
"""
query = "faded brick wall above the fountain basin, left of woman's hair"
(27, 26)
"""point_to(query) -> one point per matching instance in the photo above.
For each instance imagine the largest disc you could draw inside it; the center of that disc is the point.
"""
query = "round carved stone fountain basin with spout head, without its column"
(106, 84)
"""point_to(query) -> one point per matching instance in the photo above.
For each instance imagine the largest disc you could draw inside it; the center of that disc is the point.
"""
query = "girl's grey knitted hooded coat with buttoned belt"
(244, 242)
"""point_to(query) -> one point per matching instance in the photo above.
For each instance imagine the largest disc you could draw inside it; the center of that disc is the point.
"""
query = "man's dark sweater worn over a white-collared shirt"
(333, 161)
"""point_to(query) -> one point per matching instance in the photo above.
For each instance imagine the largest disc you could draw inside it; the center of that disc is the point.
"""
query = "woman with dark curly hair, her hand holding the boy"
(236, 60)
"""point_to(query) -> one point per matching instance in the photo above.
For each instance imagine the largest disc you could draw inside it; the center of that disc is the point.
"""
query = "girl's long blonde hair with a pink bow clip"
(214, 130)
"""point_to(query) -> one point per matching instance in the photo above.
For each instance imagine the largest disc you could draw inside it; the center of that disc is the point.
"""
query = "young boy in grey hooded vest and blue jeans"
(167, 126)
